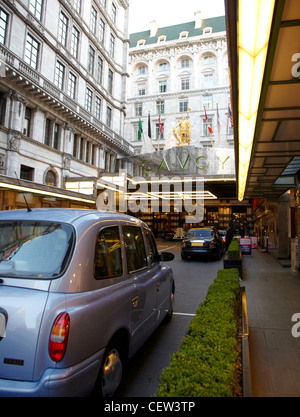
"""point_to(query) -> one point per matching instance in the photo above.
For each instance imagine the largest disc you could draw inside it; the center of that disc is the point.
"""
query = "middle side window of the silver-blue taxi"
(135, 248)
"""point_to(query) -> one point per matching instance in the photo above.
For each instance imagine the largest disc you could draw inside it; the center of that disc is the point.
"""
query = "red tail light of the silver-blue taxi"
(59, 337)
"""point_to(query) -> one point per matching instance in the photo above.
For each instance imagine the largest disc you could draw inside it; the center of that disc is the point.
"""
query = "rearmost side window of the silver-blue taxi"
(108, 257)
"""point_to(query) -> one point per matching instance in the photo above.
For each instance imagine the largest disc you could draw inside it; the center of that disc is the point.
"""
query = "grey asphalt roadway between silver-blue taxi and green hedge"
(192, 280)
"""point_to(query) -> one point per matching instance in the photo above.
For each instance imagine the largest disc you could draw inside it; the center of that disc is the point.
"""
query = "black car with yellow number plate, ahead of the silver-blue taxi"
(205, 242)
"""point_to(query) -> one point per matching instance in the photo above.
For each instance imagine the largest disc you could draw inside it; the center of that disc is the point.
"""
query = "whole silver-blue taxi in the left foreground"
(80, 292)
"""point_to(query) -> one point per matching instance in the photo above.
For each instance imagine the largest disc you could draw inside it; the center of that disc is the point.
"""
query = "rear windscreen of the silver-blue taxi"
(34, 249)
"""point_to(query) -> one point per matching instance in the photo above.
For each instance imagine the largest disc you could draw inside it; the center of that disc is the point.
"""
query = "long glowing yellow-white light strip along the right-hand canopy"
(254, 27)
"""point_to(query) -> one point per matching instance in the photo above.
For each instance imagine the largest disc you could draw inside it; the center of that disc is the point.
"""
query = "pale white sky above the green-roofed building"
(170, 12)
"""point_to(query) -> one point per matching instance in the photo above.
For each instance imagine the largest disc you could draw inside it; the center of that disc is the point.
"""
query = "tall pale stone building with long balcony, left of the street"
(62, 95)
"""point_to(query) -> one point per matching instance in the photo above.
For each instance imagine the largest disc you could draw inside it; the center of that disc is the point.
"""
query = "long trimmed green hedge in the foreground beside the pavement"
(206, 363)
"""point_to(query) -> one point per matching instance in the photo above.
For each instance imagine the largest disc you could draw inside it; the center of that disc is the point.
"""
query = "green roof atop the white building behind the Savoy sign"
(172, 32)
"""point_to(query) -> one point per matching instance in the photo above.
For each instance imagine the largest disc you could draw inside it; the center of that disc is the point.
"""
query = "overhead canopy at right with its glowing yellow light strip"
(264, 60)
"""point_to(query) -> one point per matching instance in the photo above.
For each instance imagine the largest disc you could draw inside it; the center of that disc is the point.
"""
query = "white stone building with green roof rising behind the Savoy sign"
(178, 71)
